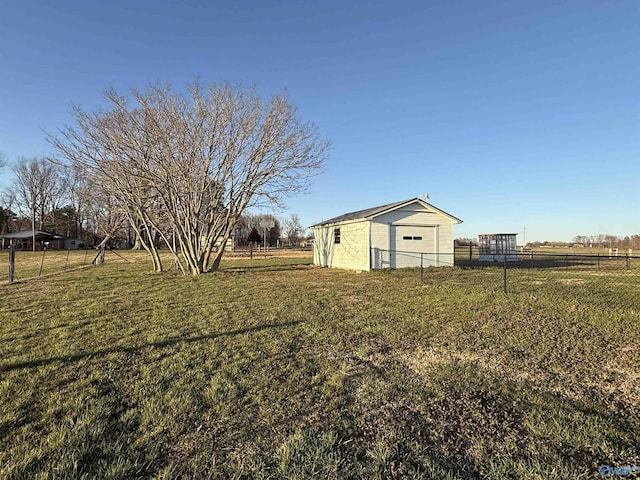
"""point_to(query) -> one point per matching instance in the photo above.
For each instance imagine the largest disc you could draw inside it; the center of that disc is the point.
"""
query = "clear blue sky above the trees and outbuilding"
(511, 115)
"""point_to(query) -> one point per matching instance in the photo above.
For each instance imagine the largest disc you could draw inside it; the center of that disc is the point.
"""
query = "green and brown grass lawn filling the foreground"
(272, 368)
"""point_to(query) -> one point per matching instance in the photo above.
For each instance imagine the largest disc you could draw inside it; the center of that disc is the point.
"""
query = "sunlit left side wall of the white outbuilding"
(351, 253)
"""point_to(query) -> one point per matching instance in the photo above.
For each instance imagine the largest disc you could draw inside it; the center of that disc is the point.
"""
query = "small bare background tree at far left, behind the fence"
(39, 186)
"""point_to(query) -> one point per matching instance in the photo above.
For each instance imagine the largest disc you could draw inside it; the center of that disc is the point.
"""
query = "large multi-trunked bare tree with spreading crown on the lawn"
(185, 166)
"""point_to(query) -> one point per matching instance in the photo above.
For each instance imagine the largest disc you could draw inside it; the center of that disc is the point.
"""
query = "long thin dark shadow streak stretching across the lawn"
(159, 344)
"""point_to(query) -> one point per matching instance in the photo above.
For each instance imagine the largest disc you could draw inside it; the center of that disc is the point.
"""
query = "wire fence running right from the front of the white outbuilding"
(525, 271)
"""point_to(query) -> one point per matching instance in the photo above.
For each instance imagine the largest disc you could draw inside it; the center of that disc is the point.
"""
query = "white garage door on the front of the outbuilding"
(412, 246)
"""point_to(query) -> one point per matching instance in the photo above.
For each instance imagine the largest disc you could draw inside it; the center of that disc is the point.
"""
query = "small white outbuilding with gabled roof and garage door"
(410, 233)
